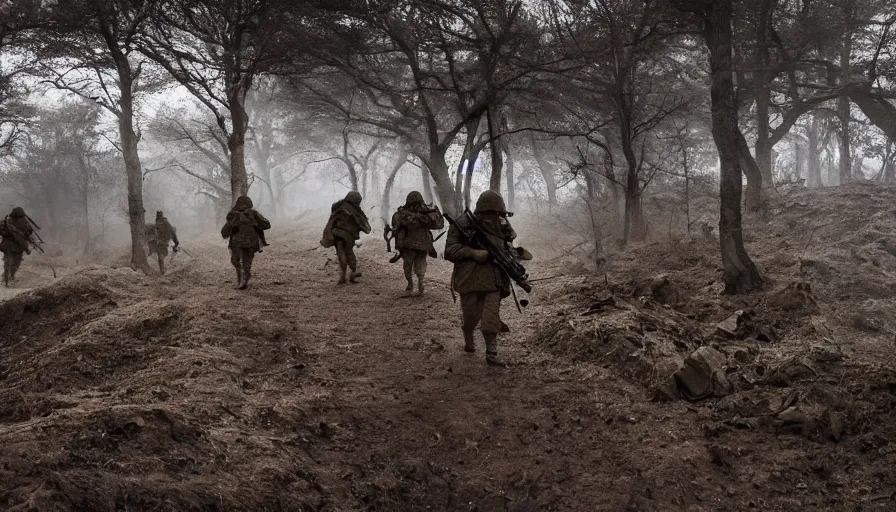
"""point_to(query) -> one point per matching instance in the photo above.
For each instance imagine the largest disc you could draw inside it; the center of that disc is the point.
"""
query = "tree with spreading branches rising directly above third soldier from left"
(217, 49)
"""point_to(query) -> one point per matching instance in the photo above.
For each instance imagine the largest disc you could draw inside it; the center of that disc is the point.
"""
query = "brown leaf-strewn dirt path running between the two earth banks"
(386, 412)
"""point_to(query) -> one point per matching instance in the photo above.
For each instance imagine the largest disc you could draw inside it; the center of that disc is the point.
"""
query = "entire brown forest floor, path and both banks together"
(125, 392)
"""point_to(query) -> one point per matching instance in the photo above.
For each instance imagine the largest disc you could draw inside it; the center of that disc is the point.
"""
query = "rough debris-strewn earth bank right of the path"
(806, 357)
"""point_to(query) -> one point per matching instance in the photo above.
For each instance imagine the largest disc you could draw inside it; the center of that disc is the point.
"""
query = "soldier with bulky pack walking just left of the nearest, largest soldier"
(413, 239)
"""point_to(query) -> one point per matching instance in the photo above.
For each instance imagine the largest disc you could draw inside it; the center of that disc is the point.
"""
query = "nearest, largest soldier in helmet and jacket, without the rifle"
(482, 284)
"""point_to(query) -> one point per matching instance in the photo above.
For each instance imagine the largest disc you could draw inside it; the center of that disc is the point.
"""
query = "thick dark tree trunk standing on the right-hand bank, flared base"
(740, 274)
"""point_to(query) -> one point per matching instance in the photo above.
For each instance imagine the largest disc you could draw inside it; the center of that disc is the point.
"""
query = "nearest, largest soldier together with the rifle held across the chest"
(480, 246)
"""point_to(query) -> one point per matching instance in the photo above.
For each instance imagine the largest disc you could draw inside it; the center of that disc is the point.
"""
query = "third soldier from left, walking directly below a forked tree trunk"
(242, 228)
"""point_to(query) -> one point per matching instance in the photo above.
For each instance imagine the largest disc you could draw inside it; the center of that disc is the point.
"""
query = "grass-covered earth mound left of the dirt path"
(92, 368)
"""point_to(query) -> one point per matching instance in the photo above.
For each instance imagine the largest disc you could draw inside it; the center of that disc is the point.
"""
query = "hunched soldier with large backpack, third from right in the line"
(344, 227)
